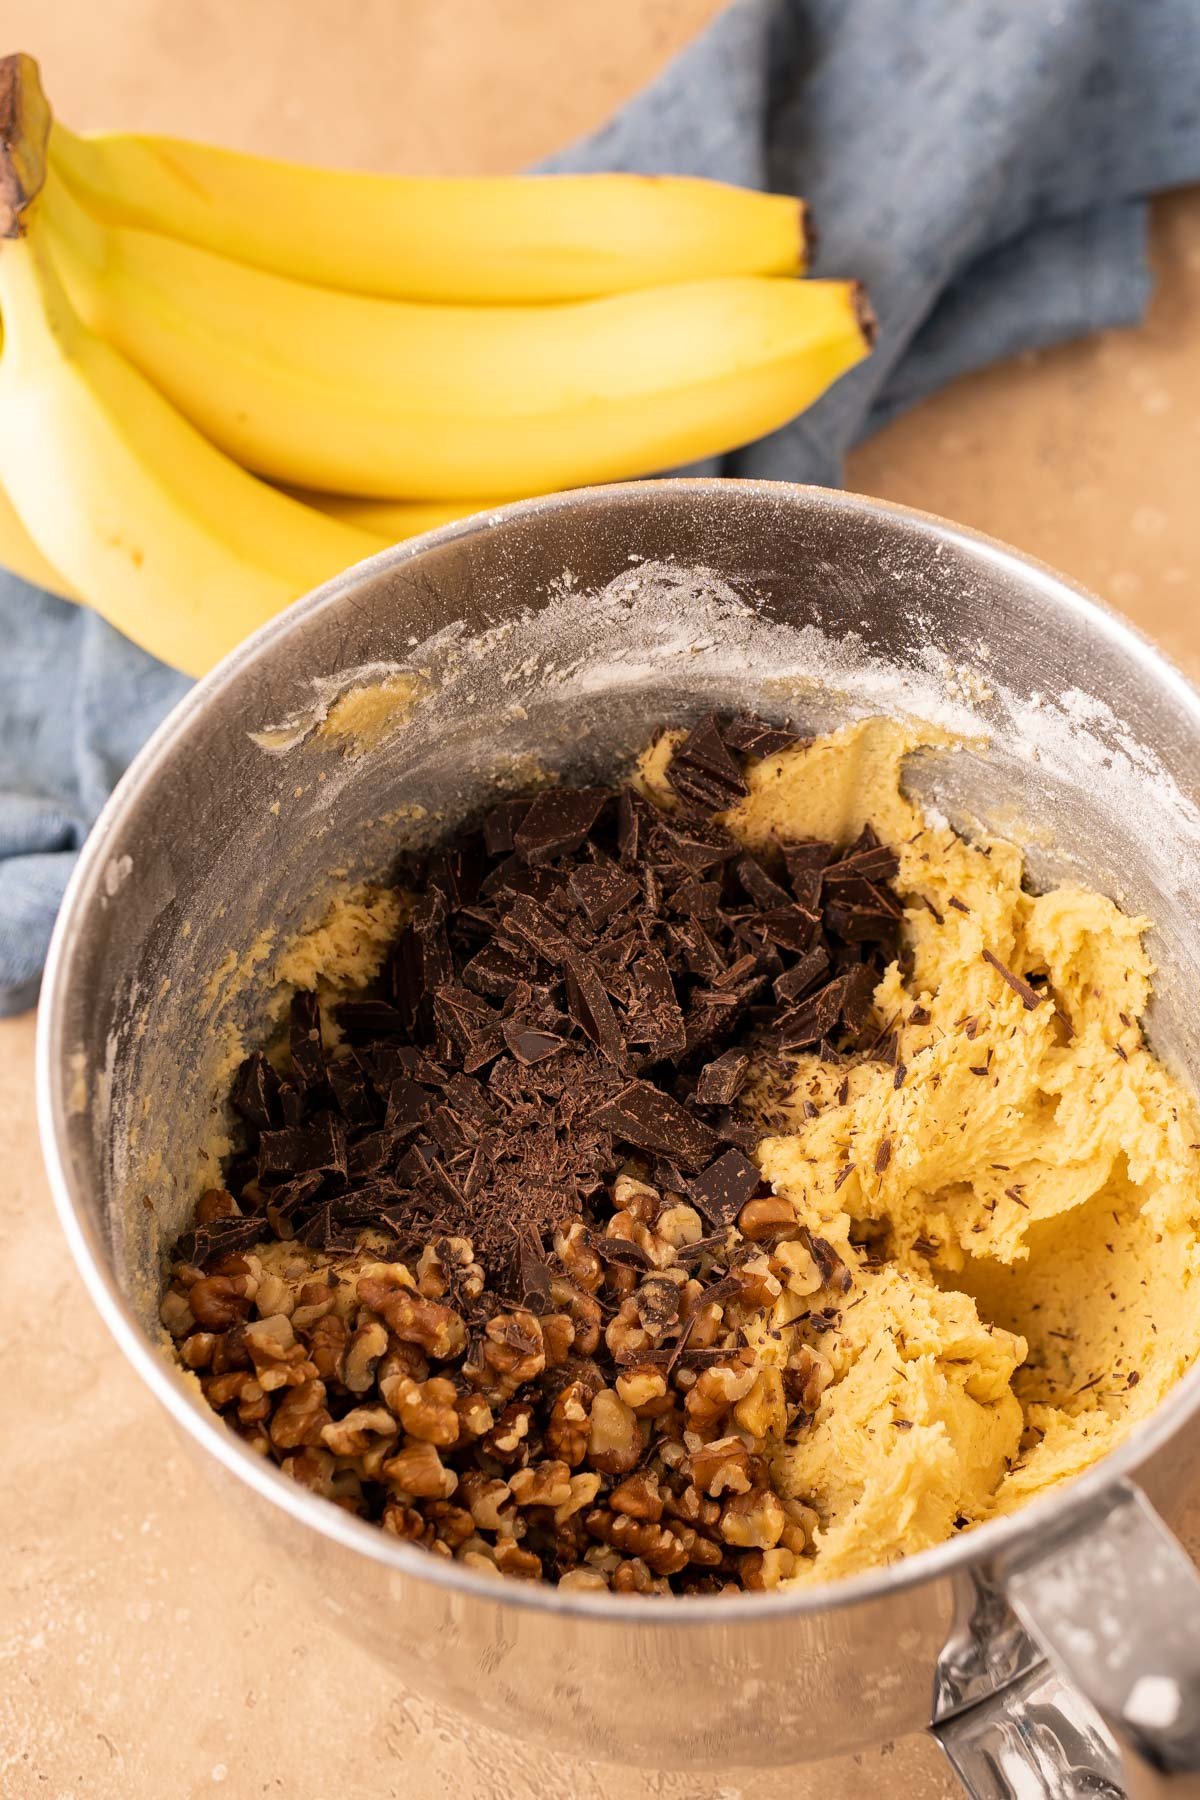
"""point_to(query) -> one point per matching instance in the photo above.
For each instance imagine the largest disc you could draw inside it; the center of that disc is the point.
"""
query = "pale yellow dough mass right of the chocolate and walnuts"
(1019, 1210)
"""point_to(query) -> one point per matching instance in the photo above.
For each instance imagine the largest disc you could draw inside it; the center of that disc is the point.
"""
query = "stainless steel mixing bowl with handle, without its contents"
(560, 631)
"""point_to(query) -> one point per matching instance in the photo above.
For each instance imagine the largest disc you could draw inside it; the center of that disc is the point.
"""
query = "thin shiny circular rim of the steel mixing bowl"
(1003, 1540)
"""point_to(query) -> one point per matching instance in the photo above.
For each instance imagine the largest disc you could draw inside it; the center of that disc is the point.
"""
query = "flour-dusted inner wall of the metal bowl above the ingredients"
(548, 640)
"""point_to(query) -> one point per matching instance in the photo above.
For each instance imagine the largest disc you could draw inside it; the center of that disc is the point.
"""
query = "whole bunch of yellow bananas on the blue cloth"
(226, 379)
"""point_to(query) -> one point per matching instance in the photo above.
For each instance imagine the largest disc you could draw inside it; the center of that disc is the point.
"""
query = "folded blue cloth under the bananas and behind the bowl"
(983, 168)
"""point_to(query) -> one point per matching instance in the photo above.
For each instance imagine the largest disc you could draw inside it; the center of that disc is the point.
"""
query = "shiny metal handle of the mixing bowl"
(1115, 1606)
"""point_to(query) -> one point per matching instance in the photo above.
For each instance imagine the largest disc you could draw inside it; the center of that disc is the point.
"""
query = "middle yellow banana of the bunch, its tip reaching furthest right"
(386, 399)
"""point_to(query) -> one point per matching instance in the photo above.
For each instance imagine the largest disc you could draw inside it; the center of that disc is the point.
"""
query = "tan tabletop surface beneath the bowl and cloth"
(148, 1650)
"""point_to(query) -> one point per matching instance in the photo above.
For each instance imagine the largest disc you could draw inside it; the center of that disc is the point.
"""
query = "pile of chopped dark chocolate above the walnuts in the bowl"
(501, 1077)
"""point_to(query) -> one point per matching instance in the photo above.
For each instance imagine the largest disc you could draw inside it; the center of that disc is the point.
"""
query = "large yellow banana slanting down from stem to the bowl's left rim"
(177, 546)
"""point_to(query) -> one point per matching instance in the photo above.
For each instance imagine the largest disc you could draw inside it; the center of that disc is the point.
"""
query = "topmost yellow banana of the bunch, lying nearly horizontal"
(436, 238)
